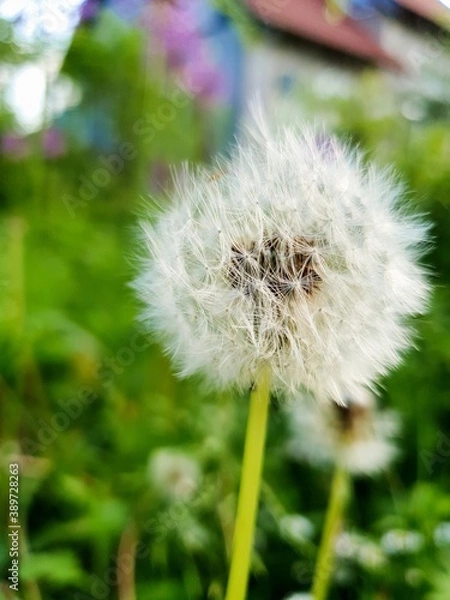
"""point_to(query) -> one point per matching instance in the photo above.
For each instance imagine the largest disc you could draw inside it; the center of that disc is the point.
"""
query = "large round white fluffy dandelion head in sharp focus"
(292, 252)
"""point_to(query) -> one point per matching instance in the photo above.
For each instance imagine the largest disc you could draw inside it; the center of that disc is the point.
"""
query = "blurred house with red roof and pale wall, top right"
(327, 44)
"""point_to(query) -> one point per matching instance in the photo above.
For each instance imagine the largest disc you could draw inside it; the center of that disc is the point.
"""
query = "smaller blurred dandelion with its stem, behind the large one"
(357, 440)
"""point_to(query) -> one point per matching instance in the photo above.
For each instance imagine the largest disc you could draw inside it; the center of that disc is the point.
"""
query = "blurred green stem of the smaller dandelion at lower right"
(336, 506)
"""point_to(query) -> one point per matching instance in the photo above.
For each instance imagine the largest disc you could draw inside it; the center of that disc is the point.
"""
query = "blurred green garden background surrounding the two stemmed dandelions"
(128, 475)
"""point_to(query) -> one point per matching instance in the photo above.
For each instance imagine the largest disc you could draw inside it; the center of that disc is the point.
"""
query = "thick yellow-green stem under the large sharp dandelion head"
(249, 489)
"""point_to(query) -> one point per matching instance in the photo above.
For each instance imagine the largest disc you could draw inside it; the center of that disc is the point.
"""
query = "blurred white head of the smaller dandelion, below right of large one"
(355, 436)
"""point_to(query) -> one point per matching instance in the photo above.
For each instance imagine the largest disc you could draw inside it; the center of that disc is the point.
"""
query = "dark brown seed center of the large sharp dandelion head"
(275, 264)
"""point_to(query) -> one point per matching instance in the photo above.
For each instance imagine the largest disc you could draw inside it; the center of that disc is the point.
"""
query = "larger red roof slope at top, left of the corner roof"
(308, 19)
